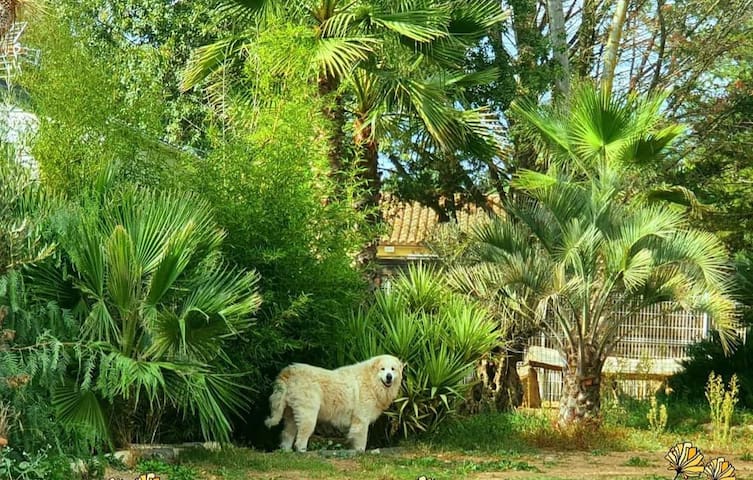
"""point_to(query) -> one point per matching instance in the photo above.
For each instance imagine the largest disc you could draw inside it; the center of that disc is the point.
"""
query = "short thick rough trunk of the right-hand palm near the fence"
(581, 391)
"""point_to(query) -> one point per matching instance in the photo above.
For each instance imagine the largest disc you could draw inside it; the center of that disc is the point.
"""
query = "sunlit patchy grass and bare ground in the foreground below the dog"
(525, 444)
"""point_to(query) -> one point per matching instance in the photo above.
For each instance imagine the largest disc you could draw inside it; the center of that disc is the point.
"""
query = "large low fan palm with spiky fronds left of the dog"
(155, 303)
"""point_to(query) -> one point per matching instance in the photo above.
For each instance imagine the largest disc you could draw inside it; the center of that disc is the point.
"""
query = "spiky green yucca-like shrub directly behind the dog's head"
(439, 335)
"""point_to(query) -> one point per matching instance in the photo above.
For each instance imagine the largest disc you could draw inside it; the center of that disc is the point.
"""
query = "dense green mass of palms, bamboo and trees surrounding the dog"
(209, 189)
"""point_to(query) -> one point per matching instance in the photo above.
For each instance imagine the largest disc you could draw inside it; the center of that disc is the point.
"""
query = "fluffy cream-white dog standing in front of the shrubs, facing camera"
(350, 397)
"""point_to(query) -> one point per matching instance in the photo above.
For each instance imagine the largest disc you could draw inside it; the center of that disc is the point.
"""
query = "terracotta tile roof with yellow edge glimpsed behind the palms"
(410, 224)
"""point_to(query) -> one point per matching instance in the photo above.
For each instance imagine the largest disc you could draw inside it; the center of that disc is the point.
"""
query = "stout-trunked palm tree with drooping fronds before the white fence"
(581, 251)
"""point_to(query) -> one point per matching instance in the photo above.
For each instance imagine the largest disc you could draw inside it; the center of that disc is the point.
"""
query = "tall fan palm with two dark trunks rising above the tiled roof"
(396, 60)
